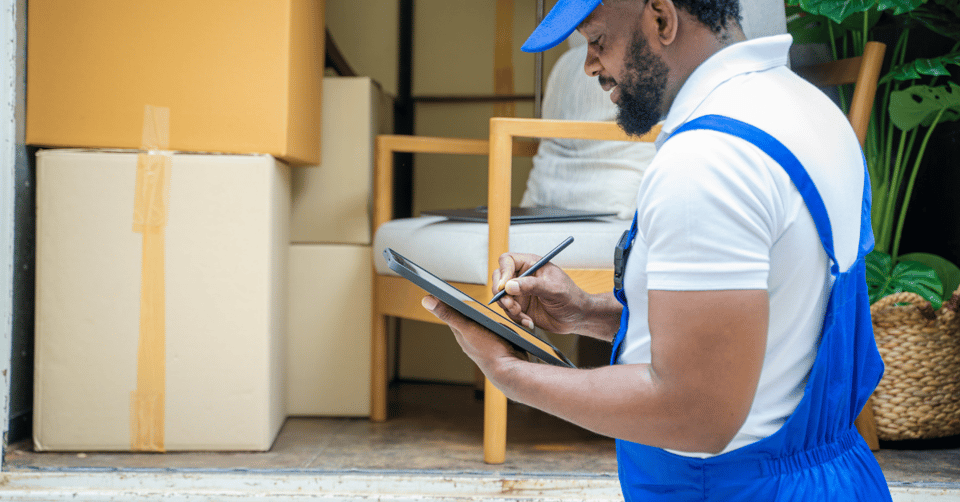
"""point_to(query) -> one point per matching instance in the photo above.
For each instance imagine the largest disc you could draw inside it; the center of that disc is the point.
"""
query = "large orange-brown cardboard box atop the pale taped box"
(239, 76)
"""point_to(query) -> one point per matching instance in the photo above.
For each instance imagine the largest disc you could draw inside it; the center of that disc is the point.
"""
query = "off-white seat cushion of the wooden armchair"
(457, 251)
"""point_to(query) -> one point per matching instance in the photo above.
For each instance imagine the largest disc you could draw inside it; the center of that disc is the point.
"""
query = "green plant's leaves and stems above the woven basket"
(913, 98)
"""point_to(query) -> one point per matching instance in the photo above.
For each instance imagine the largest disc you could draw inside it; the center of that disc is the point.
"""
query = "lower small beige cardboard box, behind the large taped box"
(328, 343)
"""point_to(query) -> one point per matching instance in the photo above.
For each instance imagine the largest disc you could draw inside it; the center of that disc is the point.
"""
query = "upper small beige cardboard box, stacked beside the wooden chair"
(332, 202)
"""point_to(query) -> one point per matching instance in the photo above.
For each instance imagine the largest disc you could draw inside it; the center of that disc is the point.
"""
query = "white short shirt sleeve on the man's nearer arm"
(707, 212)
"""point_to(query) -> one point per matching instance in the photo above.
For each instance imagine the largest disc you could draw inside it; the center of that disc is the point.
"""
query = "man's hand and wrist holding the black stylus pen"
(550, 299)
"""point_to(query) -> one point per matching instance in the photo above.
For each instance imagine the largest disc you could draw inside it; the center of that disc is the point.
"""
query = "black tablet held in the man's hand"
(475, 310)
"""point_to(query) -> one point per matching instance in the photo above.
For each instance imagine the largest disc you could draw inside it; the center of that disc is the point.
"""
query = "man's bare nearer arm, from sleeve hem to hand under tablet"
(707, 351)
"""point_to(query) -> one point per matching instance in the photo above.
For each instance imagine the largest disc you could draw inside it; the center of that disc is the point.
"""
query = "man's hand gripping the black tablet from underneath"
(491, 352)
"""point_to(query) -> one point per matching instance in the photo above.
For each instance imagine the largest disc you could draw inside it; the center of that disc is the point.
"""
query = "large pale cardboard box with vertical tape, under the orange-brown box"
(160, 333)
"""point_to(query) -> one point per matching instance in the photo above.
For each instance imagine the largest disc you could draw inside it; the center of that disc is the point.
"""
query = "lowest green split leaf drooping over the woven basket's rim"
(884, 278)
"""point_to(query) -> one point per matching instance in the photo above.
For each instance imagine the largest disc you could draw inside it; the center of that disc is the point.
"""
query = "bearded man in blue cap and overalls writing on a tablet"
(742, 342)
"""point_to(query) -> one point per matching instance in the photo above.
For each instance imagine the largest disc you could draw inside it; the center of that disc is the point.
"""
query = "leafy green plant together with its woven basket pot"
(919, 395)
